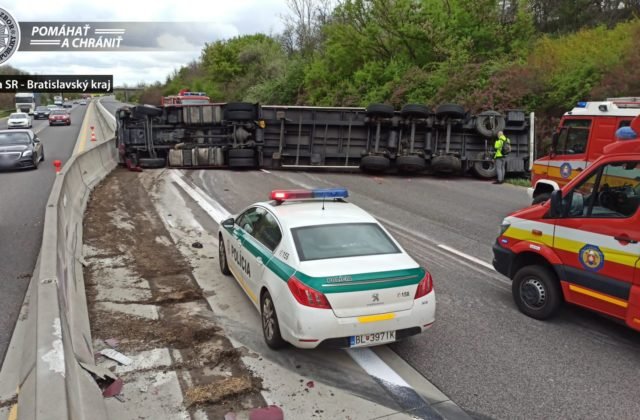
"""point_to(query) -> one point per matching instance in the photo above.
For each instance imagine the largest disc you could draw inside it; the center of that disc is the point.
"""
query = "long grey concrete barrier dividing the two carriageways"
(55, 382)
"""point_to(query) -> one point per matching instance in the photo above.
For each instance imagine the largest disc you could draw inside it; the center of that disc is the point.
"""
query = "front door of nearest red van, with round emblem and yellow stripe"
(598, 237)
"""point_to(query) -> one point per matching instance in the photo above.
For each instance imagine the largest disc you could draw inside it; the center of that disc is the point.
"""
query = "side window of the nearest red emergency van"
(611, 191)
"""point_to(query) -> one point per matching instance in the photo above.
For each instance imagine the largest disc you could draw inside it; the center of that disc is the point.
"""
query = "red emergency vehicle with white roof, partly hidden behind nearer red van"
(581, 137)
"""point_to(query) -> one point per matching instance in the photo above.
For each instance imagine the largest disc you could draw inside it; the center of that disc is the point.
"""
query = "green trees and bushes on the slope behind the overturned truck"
(540, 55)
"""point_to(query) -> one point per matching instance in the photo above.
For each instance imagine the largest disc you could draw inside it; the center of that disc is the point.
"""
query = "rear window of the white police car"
(341, 240)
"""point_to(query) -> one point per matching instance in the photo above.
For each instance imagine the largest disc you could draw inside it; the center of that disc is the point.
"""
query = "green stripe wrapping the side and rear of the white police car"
(359, 282)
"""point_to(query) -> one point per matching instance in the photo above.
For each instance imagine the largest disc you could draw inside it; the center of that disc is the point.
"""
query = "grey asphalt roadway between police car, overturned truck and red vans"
(482, 353)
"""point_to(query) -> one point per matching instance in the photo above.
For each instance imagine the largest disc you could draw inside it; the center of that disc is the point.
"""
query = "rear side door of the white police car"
(259, 246)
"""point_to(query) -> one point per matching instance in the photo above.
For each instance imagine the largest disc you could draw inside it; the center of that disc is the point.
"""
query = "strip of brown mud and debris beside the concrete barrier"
(144, 302)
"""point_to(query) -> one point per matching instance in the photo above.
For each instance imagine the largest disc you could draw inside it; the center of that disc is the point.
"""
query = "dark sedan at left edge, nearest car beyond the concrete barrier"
(20, 149)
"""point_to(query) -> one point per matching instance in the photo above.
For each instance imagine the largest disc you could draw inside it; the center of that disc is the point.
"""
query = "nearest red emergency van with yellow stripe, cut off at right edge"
(581, 246)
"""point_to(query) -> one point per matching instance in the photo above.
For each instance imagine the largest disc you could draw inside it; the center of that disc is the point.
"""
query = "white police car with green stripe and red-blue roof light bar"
(323, 272)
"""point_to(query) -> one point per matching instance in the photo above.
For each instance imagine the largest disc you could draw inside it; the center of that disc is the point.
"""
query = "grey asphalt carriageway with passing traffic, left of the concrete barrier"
(23, 196)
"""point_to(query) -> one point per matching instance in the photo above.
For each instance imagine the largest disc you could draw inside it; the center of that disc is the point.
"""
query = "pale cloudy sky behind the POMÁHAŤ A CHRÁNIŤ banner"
(212, 20)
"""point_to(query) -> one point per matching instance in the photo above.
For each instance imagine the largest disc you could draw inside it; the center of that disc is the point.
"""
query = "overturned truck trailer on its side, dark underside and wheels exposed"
(377, 138)
